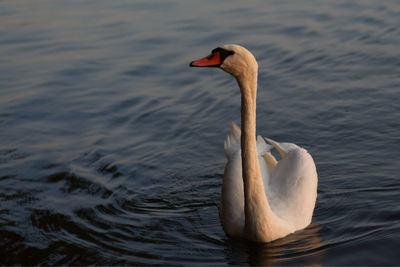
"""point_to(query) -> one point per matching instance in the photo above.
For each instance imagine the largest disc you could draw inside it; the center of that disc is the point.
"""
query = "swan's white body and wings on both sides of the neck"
(289, 185)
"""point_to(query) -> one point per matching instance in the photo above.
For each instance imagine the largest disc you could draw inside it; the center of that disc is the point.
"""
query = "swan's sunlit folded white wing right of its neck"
(292, 188)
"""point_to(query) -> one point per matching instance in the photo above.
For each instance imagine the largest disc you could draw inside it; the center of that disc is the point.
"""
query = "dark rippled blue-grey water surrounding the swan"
(111, 147)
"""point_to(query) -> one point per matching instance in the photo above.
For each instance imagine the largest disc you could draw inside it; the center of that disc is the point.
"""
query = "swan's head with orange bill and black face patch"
(234, 59)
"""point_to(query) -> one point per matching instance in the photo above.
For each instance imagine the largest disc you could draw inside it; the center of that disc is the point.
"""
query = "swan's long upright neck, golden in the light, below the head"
(257, 209)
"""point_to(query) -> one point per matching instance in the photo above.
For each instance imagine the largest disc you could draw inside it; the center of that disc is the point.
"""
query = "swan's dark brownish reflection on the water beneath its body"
(304, 247)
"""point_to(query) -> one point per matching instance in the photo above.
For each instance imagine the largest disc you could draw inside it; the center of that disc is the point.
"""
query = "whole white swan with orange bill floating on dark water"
(262, 199)
